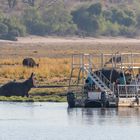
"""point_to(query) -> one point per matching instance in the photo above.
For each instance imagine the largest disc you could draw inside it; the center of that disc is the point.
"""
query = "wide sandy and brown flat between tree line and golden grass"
(55, 47)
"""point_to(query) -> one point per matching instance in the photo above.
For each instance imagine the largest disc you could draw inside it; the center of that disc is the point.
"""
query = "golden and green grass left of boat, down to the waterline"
(51, 71)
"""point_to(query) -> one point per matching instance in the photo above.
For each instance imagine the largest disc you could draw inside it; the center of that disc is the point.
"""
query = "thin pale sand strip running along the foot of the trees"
(39, 39)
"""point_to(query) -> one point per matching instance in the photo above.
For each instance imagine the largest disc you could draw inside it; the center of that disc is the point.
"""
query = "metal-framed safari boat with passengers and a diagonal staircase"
(104, 80)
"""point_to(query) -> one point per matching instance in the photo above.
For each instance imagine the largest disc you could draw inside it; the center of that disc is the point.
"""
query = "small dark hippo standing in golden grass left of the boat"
(29, 62)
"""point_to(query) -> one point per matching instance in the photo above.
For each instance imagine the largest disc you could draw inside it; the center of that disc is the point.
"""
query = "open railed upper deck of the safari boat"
(118, 61)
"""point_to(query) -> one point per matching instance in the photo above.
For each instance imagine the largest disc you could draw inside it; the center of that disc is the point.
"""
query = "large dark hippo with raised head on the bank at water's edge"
(17, 88)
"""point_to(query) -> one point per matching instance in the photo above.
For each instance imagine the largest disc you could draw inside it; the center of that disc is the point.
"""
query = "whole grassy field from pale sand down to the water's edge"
(54, 58)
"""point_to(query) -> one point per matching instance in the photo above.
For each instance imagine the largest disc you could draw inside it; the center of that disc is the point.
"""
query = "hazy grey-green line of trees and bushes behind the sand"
(86, 20)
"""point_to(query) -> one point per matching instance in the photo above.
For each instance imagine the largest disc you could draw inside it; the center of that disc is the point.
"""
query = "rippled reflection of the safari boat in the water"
(105, 116)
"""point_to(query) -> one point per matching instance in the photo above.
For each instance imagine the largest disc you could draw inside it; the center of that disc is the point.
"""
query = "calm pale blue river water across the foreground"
(54, 121)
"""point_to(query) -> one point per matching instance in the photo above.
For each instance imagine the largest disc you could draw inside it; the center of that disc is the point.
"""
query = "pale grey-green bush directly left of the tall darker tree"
(59, 20)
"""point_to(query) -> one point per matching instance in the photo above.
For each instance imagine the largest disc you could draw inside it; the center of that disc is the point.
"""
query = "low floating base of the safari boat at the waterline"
(102, 101)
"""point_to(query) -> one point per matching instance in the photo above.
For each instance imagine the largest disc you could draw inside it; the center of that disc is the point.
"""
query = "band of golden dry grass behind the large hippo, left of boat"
(49, 68)
